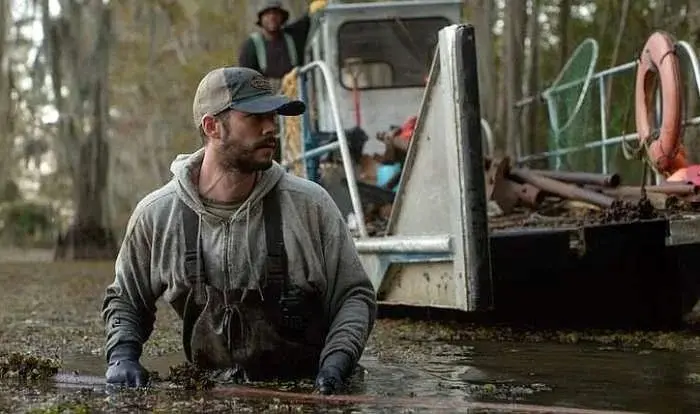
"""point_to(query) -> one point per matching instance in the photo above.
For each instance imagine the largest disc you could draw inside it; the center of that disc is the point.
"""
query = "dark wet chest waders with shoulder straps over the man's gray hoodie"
(277, 337)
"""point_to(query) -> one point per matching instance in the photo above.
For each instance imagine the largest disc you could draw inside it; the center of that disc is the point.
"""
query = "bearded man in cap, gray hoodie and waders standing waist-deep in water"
(258, 263)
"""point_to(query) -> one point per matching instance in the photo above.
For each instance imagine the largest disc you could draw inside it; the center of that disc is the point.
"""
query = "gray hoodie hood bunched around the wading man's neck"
(185, 166)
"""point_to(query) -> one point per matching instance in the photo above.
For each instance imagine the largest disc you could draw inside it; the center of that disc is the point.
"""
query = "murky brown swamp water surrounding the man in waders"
(53, 309)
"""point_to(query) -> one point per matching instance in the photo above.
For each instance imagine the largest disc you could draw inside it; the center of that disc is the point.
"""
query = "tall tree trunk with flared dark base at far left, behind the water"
(85, 133)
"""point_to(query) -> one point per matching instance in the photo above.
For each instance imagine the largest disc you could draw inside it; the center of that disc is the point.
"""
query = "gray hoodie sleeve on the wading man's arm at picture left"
(129, 306)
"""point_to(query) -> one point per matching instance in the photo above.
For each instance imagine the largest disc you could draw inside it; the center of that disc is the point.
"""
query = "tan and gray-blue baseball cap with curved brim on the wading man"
(242, 89)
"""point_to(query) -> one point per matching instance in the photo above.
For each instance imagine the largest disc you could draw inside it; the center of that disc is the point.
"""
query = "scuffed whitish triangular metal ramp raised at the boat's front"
(436, 252)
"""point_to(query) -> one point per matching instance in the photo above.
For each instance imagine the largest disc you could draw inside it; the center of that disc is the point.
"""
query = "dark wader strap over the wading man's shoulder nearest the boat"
(276, 253)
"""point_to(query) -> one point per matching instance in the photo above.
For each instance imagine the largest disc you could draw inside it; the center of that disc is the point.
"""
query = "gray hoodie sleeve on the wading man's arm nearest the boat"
(350, 296)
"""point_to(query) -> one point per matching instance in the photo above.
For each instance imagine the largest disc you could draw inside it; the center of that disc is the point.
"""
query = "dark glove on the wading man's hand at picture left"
(124, 368)
